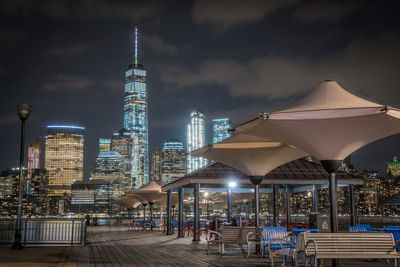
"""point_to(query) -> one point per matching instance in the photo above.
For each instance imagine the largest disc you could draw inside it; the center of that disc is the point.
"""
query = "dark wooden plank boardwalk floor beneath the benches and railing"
(116, 246)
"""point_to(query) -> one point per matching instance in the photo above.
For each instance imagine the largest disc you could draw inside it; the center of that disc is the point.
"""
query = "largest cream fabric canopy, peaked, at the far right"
(329, 123)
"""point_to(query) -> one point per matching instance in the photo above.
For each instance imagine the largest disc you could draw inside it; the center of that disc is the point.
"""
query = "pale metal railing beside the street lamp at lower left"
(45, 232)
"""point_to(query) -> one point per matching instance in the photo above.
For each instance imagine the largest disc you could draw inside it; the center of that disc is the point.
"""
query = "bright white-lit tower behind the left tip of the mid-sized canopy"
(195, 140)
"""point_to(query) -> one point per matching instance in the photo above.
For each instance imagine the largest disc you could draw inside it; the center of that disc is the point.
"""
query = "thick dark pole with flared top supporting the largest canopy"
(331, 166)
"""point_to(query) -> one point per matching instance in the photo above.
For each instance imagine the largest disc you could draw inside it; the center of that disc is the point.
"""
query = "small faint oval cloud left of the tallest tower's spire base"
(62, 82)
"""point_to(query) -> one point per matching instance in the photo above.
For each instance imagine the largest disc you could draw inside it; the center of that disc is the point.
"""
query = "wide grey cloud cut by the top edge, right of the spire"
(224, 14)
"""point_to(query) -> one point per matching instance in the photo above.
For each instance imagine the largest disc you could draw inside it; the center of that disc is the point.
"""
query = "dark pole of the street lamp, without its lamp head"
(17, 241)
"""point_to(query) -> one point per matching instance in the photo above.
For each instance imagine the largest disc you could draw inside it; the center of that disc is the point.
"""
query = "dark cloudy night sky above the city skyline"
(230, 58)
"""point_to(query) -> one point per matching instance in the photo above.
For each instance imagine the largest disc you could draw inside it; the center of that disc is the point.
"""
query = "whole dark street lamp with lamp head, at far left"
(23, 113)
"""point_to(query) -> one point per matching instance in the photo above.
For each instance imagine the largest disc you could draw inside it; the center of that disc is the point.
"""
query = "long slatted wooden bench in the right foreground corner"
(350, 245)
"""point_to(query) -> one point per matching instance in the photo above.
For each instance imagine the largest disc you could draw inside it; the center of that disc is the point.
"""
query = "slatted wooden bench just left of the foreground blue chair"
(228, 236)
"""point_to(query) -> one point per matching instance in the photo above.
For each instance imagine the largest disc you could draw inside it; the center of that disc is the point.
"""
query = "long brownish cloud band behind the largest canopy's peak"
(367, 65)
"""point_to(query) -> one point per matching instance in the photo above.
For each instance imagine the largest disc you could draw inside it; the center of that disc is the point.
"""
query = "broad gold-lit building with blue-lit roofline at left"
(64, 156)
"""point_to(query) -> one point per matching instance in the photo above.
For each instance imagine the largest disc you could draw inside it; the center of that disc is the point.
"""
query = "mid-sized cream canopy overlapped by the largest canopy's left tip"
(251, 155)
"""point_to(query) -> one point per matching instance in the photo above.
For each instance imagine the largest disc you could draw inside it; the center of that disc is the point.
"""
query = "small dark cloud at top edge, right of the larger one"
(326, 11)
